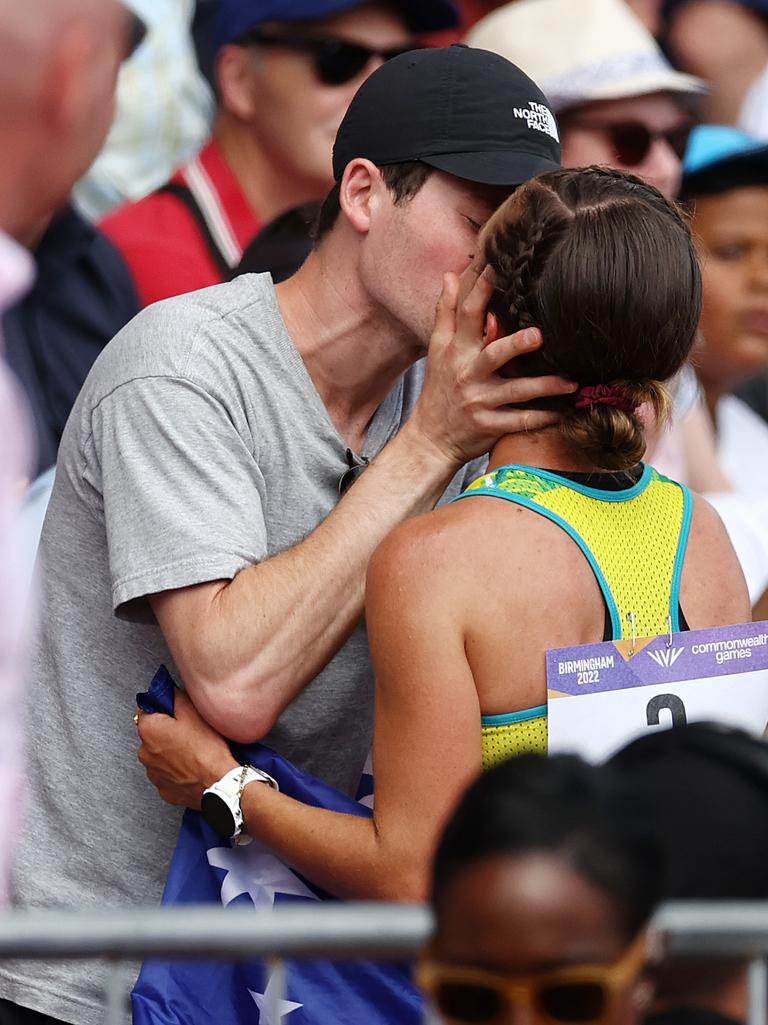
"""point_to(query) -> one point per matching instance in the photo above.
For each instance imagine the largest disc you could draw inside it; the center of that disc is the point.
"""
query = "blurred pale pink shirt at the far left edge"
(16, 452)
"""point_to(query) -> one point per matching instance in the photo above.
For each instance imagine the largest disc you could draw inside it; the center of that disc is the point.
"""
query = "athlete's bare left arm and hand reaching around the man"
(427, 744)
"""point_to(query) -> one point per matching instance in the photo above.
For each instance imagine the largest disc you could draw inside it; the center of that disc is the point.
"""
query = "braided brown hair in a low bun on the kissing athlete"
(607, 268)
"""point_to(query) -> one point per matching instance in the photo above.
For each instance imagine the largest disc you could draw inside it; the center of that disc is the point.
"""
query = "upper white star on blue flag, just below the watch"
(255, 871)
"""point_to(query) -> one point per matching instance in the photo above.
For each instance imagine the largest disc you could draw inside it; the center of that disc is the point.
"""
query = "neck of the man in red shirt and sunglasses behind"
(269, 190)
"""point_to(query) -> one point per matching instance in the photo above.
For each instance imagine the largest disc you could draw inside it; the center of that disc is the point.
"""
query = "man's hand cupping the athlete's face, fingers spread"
(464, 408)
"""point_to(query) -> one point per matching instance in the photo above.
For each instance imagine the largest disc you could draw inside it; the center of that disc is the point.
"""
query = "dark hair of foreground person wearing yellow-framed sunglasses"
(556, 806)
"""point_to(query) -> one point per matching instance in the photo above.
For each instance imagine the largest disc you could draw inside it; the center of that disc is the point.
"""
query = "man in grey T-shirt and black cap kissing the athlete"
(196, 517)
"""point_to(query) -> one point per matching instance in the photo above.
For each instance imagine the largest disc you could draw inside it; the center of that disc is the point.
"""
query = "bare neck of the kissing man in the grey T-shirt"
(354, 353)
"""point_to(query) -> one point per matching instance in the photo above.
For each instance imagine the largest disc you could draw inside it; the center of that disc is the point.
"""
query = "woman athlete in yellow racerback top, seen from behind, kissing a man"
(463, 603)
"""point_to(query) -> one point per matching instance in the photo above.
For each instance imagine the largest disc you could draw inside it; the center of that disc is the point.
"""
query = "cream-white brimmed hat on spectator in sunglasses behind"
(581, 51)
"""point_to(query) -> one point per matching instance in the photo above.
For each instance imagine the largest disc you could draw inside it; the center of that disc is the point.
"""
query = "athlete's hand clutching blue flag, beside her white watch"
(183, 756)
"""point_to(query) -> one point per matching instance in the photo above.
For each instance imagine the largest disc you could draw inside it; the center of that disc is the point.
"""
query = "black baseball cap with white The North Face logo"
(465, 111)
